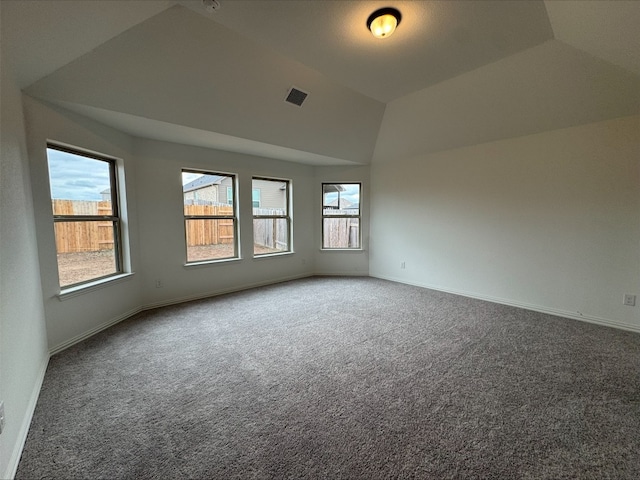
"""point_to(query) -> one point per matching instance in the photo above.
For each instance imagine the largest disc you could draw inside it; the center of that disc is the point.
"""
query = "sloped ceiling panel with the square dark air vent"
(213, 79)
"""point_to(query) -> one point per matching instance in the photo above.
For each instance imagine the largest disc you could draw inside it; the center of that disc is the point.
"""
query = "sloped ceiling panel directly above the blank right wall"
(547, 87)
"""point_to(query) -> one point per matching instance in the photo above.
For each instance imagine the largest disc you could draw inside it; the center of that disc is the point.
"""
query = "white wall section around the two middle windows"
(161, 223)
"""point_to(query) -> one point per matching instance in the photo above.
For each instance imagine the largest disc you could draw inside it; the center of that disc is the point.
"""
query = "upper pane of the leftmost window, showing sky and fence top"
(81, 182)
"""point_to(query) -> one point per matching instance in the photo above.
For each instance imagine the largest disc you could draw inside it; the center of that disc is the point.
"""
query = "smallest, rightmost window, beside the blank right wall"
(341, 215)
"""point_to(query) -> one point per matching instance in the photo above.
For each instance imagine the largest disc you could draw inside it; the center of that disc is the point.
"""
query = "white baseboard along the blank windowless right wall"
(536, 308)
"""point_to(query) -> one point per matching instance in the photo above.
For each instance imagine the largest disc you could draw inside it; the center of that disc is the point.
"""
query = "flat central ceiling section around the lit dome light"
(435, 41)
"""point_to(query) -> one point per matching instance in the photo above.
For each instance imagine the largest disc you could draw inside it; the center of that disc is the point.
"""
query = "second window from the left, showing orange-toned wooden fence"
(210, 225)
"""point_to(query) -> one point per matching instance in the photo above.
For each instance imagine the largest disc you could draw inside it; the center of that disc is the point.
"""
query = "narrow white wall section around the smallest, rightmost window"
(342, 262)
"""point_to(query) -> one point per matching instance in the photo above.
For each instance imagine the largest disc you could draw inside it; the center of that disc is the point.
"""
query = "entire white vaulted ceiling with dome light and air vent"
(455, 73)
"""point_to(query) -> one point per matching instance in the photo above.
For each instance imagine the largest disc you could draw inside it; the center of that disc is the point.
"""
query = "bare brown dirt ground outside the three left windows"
(84, 266)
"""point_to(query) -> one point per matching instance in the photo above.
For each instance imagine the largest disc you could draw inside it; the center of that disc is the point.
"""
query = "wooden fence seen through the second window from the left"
(209, 232)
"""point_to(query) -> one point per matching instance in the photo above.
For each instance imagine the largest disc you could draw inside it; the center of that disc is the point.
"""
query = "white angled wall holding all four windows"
(154, 221)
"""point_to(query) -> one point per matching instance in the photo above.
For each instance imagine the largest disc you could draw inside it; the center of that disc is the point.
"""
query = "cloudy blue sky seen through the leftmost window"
(73, 177)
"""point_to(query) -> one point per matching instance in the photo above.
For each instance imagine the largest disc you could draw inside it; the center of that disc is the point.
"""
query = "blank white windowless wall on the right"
(548, 221)
